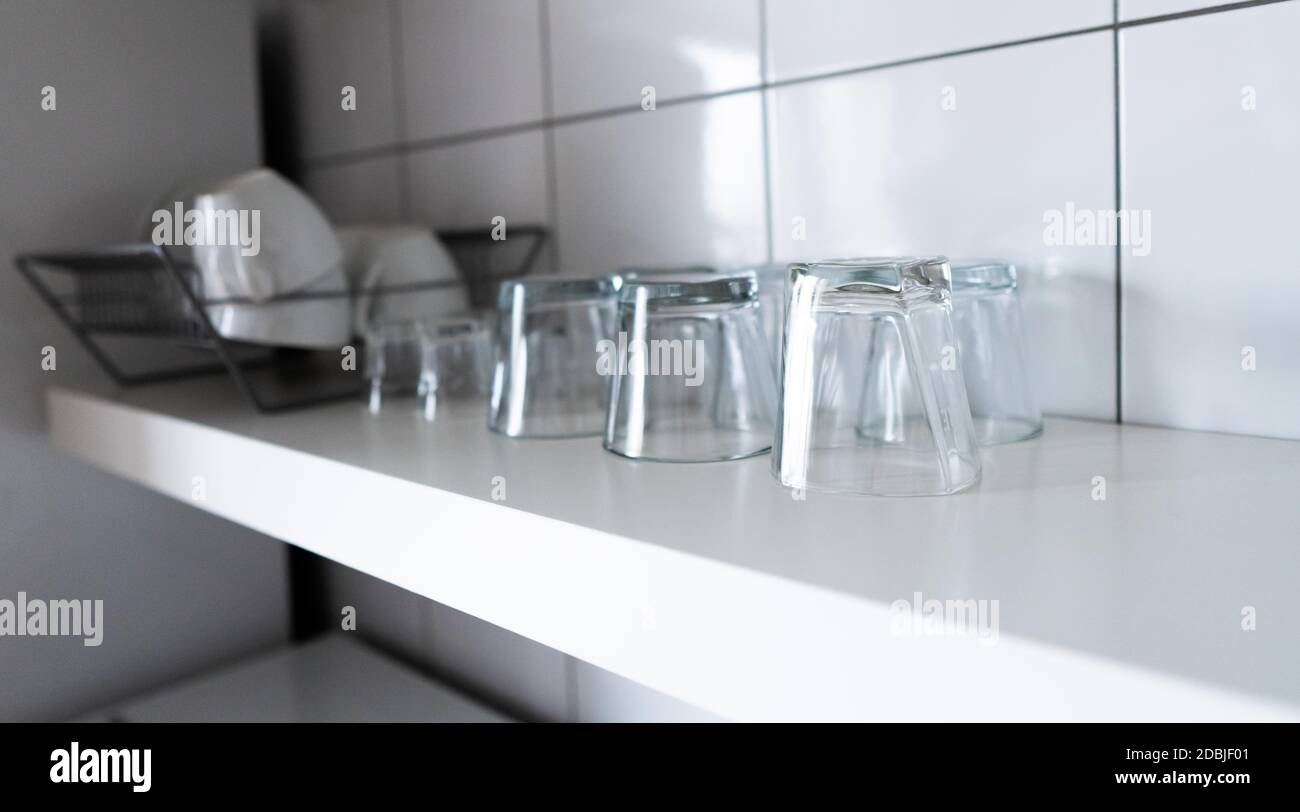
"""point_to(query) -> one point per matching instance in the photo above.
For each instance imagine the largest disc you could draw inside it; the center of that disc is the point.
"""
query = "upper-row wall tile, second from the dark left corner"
(470, 66)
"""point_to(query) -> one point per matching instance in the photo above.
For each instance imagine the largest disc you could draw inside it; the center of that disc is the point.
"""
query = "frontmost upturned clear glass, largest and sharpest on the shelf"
(873, 398)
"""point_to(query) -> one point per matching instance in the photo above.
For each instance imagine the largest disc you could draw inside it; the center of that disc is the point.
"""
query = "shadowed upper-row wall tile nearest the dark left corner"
(337, 44)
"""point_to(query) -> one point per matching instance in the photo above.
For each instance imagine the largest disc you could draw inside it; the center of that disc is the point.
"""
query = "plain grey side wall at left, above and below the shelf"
(149, 92)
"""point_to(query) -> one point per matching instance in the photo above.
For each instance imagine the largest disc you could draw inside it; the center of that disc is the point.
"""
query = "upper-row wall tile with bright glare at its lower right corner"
(604, 54)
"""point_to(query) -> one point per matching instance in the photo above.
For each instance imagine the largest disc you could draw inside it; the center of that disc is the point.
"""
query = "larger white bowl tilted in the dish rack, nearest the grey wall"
(292, 292)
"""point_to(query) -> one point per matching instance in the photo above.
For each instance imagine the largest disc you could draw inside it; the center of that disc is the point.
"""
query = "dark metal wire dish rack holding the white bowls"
(127, 303)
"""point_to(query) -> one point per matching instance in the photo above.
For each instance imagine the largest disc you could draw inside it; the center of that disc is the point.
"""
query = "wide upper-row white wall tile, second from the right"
(812, 37)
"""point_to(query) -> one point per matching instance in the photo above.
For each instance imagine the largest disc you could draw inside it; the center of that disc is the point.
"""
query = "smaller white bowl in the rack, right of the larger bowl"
(400, 273)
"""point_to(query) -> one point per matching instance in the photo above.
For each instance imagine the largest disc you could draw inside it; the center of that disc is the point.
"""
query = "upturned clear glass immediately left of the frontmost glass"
(692, 379)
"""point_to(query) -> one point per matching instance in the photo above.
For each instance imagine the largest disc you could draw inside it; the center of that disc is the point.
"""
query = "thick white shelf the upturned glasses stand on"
(710, 584)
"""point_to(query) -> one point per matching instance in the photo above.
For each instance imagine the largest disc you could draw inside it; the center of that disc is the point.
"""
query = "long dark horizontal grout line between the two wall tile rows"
(366, 154)
